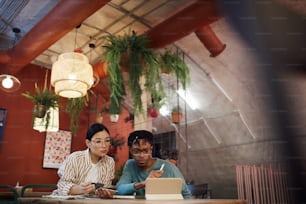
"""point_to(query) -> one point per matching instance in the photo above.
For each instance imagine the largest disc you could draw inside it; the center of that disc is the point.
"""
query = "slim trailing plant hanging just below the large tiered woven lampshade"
(74, 107)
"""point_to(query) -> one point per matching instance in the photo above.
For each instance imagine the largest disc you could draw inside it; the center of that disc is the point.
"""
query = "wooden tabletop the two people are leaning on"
(36, 200)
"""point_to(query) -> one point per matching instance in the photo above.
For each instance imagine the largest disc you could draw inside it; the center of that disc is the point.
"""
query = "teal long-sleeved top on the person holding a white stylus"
(133, 174)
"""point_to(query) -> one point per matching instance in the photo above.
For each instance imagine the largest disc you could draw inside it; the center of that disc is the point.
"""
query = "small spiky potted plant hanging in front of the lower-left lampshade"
(44, 99)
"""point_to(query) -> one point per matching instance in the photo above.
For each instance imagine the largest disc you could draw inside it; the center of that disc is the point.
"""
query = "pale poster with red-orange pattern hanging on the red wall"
(57, 148)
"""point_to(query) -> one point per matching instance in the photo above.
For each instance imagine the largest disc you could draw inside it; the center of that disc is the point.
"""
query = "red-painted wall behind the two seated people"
(22, 148)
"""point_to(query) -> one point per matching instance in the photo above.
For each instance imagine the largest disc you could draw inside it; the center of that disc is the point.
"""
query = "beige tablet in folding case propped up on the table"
(163, 189)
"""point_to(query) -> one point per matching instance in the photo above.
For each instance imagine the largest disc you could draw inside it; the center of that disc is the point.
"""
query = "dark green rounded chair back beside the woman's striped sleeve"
(37, 190)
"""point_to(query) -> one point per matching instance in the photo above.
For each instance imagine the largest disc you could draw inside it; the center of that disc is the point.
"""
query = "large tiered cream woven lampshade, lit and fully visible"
(71, 75)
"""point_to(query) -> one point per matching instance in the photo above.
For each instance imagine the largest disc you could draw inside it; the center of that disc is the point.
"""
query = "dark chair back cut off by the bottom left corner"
(8, 195)
